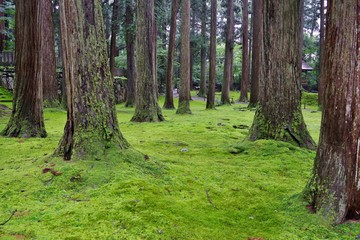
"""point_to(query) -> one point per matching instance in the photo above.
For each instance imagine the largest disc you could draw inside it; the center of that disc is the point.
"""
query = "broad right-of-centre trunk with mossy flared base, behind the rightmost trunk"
(279, 115)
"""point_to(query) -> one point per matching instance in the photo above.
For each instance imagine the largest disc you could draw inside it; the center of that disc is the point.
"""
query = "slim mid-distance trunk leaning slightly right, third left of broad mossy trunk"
(229, 54)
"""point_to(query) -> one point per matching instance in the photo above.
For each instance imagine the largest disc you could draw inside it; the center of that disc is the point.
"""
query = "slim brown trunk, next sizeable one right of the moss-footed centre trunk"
(210, 101)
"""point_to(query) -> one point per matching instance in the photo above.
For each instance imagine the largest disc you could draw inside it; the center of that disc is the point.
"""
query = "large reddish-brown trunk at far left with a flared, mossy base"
(27, 115)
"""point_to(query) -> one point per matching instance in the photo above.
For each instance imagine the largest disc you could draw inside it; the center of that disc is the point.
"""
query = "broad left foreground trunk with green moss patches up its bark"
(92, 125)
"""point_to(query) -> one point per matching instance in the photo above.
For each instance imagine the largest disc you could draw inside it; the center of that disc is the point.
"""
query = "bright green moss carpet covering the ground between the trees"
(198, 179)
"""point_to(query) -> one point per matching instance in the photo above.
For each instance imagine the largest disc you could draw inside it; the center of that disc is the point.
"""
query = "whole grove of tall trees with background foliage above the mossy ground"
(168, 49)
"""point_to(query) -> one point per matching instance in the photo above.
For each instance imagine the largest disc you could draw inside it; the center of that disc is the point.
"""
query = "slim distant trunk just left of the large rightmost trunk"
(322, 46)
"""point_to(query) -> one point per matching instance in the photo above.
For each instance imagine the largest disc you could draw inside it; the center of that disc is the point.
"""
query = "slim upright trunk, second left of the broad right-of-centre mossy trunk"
(245, 55)
